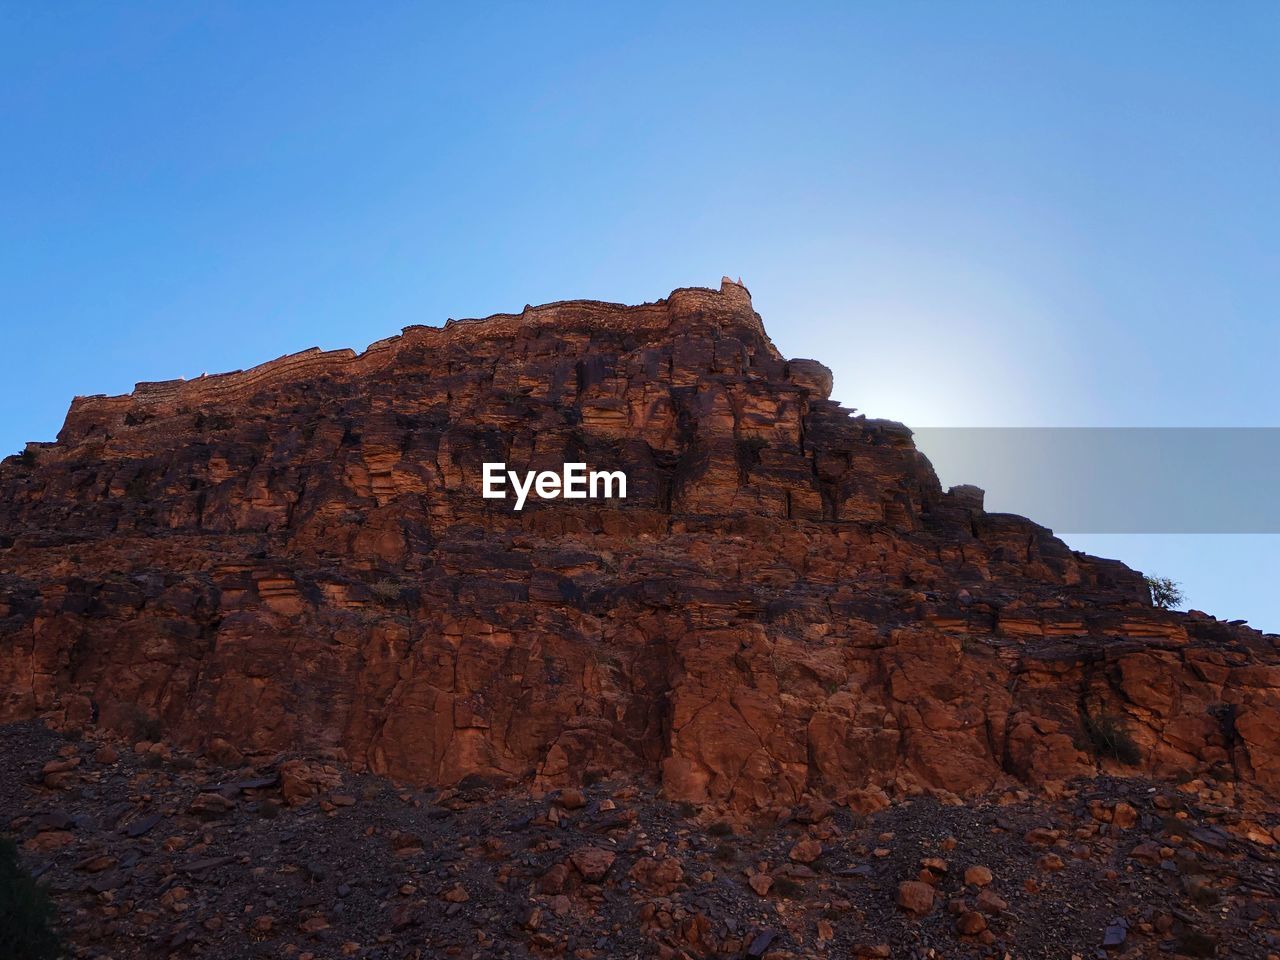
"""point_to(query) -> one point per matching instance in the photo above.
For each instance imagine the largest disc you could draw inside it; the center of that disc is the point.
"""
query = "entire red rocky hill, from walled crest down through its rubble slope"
(280, 679)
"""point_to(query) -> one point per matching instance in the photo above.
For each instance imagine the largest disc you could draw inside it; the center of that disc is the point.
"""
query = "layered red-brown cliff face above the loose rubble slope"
(299, 559)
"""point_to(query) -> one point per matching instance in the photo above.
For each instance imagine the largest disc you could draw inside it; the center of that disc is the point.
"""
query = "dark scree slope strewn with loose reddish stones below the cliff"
(152, 853)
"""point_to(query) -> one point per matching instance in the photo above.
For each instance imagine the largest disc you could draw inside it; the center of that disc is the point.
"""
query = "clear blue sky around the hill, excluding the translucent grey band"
(977, 214)
